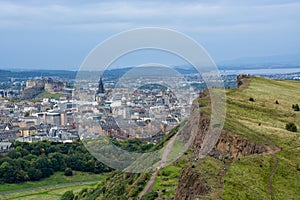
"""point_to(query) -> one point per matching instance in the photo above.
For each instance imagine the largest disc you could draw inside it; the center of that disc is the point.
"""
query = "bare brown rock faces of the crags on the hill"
(229, 145)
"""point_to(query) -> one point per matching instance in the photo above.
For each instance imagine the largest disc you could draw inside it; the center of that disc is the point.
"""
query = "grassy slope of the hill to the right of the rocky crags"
(275, 174)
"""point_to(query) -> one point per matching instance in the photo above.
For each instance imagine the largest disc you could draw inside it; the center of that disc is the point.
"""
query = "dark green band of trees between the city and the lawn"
(34, 161)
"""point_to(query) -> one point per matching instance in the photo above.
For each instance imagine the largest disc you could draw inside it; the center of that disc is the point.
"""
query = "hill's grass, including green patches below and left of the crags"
(272, 175)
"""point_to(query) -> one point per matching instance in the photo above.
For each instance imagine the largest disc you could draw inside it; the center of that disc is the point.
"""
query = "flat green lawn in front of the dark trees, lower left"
(53, 182)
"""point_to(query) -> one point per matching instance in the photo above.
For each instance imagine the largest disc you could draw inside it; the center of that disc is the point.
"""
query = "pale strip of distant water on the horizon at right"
(260, 71)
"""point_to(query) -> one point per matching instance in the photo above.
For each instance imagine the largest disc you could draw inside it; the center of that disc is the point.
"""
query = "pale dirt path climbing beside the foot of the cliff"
(163, 161)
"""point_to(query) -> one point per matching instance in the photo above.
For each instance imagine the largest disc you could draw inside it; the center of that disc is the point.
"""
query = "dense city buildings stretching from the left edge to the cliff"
(123, 111)
